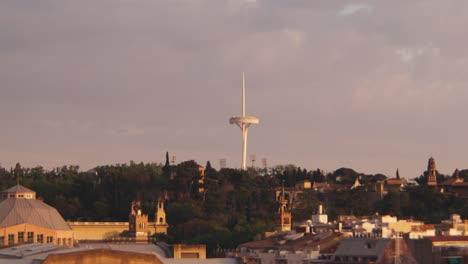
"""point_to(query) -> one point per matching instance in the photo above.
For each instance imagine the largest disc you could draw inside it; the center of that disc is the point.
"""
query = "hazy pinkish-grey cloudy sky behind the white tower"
(369, 85)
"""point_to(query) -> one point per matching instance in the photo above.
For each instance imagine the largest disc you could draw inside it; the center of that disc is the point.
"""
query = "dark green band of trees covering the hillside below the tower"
(229, 206)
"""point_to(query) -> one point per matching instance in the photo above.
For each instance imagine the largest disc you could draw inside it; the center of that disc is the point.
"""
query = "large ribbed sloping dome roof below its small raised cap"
(30, 211)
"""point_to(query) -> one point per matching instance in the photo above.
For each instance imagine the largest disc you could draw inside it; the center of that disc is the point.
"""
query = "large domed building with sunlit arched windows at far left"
(24, 219)
